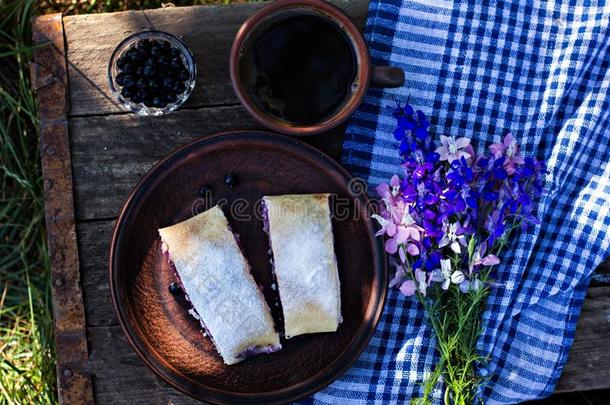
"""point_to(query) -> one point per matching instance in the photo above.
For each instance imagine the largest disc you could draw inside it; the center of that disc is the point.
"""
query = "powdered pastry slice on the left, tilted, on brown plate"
(216, 278)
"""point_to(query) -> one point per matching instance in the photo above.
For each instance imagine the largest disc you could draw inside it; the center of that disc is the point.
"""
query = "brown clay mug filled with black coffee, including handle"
(301, 67)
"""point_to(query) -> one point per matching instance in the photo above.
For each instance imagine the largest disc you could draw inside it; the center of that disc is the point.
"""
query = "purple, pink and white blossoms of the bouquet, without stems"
(446, 196)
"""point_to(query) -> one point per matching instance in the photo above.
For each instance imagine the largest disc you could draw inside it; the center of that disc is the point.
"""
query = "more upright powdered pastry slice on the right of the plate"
(303, 257)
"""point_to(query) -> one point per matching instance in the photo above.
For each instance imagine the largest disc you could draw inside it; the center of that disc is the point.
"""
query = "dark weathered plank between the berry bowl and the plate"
(111, 153)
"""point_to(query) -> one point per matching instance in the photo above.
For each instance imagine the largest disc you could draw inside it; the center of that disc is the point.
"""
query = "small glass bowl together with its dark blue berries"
(152, 73)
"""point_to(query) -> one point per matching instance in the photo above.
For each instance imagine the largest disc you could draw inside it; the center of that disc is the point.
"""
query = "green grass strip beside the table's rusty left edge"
(27, 371)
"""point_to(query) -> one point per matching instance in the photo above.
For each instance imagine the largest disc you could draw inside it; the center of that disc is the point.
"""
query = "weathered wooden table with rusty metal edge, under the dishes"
(93, 153)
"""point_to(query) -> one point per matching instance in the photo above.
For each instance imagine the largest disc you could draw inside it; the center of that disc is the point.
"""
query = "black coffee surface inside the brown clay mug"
(300, 68)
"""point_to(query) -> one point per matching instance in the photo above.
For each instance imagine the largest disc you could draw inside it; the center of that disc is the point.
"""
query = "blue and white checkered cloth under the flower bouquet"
(540, 70)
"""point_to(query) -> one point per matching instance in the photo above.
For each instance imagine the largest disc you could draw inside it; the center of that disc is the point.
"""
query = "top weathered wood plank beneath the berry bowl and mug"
(207, 30)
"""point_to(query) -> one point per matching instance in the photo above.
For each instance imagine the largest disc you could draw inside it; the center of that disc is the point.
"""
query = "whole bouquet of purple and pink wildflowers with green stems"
(446, 221)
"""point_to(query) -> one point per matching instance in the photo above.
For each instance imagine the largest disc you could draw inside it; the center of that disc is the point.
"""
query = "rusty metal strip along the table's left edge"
(49, 81)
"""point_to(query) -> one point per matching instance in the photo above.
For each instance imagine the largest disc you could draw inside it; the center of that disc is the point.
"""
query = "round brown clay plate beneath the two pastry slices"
(157, 324)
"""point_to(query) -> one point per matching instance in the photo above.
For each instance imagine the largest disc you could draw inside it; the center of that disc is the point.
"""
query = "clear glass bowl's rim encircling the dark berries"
(128, 43)
